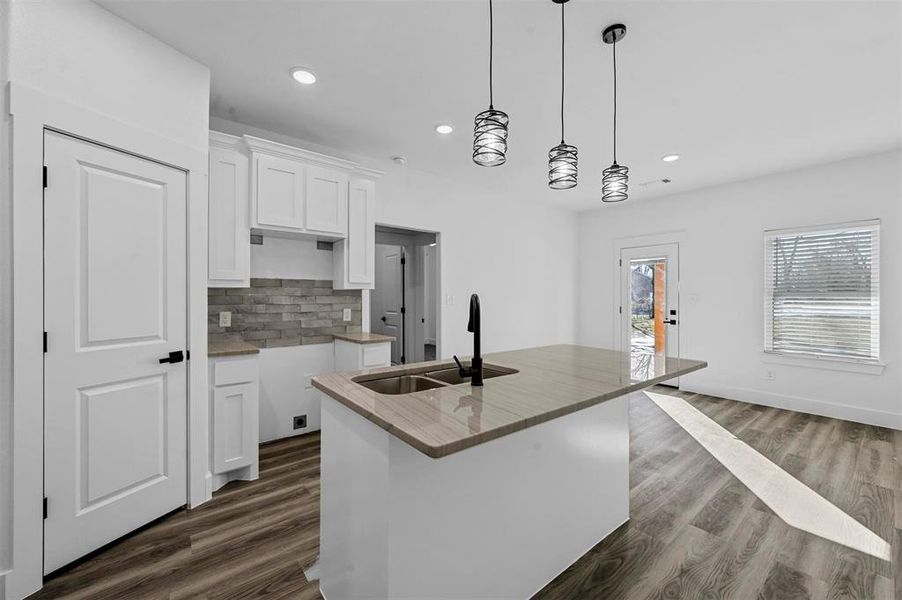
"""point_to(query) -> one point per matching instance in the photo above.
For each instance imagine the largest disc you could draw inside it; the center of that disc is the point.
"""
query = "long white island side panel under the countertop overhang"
(502, 519)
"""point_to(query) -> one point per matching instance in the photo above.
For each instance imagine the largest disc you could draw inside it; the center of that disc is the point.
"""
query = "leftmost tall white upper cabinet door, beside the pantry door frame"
(229, 249)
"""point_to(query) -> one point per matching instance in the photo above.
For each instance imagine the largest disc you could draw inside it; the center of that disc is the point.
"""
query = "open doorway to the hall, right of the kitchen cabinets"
(405, 302)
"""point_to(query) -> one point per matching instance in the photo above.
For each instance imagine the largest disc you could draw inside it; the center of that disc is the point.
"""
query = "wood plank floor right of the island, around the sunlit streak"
(696, 532)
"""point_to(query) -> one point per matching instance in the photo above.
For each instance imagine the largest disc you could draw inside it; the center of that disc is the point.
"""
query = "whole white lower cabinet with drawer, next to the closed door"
(234, 416)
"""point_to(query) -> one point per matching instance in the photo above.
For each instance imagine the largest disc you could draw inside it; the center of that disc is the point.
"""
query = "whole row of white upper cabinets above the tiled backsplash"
(267, 187)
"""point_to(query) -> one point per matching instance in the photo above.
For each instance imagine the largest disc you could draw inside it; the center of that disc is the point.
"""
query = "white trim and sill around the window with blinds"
(814, 361)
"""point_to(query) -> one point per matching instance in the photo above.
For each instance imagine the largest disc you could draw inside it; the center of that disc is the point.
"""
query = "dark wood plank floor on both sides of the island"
(696, 532)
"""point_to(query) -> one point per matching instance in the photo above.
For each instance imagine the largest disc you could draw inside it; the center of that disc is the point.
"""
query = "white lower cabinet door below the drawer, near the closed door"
(235, 421)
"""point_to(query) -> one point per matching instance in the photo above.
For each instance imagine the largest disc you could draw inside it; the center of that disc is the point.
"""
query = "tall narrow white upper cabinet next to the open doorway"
(354, 258)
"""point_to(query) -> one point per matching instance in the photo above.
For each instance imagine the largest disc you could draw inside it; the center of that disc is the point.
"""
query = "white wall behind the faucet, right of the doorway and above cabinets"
(518, 254)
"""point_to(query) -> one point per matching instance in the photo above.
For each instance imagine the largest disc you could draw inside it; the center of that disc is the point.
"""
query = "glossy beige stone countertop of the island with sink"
(550, 382)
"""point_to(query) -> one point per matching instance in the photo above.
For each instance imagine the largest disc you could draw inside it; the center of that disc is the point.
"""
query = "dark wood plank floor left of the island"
(253, 540)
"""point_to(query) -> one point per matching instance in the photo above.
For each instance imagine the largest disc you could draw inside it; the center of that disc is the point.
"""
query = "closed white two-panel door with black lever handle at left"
(115, 303)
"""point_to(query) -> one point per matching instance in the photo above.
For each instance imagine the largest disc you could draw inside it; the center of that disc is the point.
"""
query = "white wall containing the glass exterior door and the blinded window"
(722, 275)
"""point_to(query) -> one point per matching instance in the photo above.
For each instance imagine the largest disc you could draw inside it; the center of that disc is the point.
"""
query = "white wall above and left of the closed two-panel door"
(80, 53)
